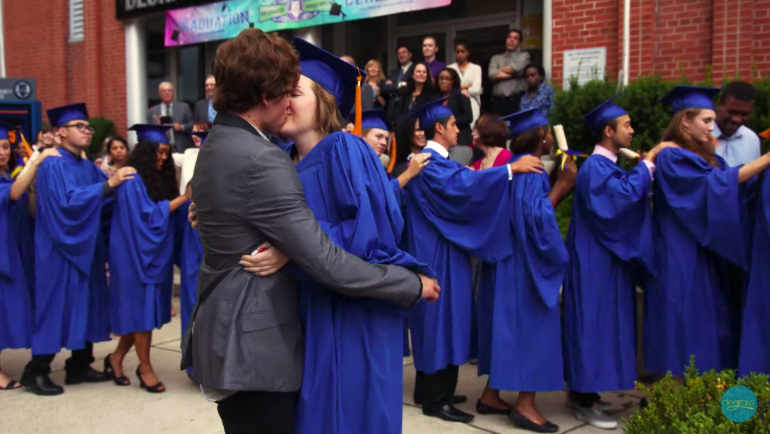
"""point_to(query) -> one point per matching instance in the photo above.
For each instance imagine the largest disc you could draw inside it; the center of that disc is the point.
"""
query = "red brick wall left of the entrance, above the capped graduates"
(91, 71)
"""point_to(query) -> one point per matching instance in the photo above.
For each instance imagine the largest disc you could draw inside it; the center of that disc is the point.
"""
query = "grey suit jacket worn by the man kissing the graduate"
(246, 335)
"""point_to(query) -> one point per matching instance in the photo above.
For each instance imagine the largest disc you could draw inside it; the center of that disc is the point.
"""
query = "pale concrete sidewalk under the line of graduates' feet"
(106, 408)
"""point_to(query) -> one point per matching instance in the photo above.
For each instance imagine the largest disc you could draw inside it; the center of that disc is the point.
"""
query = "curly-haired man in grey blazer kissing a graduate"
(245, 341)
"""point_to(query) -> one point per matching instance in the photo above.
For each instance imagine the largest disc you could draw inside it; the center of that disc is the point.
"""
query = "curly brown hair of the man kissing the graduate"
(251, 66)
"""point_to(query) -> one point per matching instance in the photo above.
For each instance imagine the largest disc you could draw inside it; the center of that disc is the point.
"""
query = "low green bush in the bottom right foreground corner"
(695, 406)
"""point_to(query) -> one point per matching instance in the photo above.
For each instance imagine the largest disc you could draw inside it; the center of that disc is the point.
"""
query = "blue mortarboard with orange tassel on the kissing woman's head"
(335, 75)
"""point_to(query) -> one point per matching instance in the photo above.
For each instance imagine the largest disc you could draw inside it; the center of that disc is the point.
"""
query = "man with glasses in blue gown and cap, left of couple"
(70, 294)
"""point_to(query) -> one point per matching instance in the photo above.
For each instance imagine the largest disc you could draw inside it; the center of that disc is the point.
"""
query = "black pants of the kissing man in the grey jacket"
(259, 412)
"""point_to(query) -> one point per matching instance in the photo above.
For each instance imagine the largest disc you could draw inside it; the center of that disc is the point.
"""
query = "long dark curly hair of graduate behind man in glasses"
(161, 184)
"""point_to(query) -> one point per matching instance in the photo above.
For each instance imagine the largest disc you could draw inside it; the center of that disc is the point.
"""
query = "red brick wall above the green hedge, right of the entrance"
(668, 37)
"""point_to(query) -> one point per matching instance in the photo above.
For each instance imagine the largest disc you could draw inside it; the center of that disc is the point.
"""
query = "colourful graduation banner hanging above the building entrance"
(224, 20)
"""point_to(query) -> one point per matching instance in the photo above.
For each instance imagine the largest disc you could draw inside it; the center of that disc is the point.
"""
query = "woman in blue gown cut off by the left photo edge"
(16, 313)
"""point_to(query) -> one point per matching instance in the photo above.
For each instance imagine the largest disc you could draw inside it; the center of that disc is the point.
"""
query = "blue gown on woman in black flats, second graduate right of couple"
(518, 300)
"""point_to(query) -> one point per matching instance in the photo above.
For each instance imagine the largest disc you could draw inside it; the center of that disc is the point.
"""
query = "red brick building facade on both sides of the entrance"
(668, 37)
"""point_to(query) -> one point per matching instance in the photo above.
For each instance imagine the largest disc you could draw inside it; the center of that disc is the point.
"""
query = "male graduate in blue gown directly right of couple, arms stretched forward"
(452, 212)
